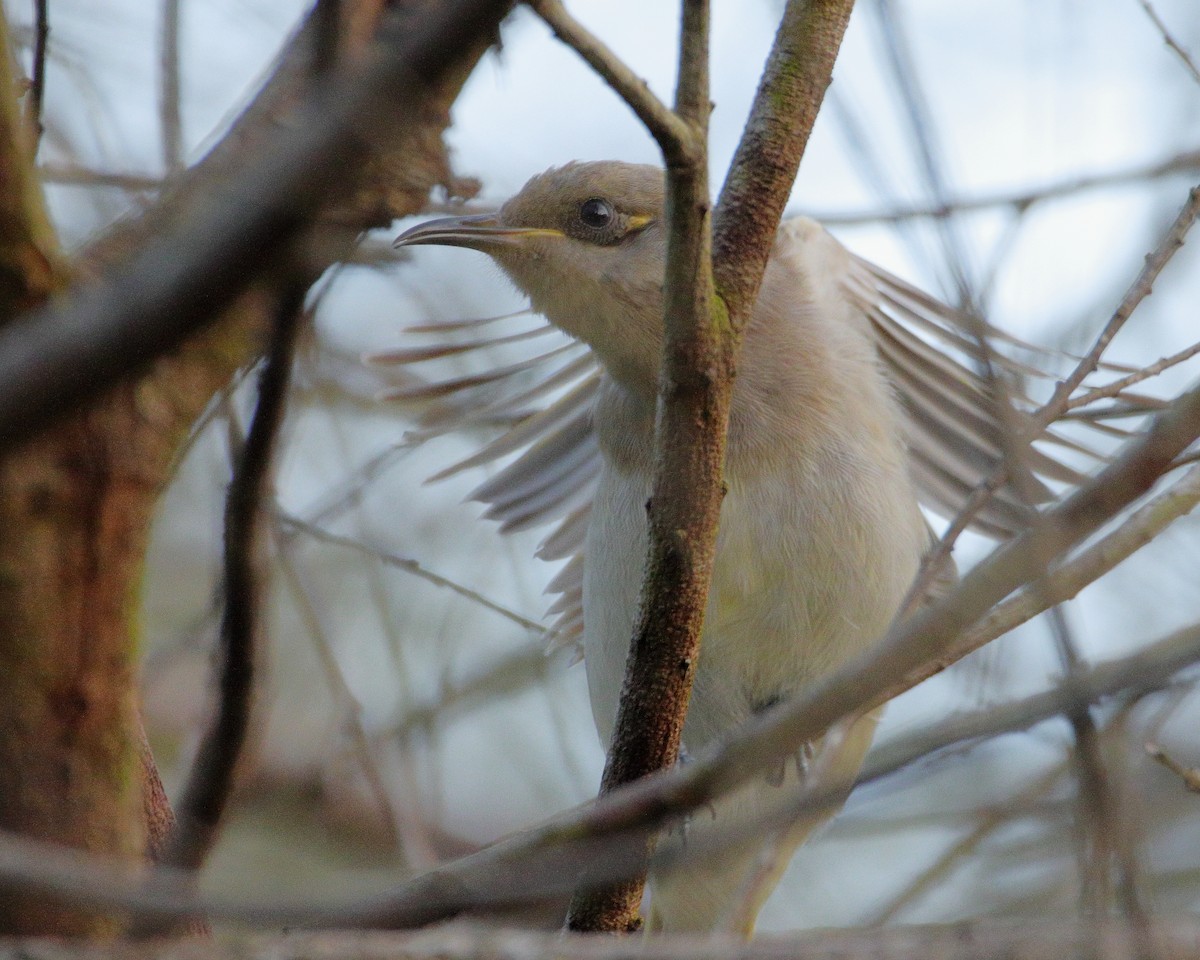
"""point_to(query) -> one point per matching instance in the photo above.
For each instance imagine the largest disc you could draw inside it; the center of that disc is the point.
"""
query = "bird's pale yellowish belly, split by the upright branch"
(811, 566)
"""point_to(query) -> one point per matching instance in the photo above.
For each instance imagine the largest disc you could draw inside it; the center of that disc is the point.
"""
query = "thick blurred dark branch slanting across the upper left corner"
(63, 356)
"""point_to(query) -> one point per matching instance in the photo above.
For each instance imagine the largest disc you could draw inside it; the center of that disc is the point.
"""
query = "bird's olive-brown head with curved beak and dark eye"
(586, 244)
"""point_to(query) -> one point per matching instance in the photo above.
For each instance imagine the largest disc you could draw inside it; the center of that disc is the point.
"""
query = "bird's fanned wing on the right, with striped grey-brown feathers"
(934, 357)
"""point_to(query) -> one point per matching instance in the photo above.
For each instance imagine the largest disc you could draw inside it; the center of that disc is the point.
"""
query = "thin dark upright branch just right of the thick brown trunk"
(211, 779)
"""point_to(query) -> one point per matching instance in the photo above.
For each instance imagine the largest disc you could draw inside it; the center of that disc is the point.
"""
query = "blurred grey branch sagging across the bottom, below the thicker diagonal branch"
(489, 875)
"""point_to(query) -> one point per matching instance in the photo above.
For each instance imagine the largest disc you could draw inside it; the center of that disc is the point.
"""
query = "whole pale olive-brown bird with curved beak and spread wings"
(859, 399)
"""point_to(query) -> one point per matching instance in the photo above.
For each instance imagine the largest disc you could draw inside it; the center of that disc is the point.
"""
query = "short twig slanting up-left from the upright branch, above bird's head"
(676, 137)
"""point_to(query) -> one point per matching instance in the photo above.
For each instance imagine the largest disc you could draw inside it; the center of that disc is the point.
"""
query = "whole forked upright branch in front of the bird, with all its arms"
(701, 337)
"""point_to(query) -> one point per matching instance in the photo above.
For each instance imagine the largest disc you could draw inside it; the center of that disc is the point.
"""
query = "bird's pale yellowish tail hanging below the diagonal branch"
(724, 892)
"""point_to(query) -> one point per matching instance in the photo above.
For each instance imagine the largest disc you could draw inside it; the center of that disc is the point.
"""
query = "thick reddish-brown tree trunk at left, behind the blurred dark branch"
(76, 503)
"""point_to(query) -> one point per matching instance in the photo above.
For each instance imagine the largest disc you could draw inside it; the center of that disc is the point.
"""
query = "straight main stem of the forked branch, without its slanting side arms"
(694, 400)
